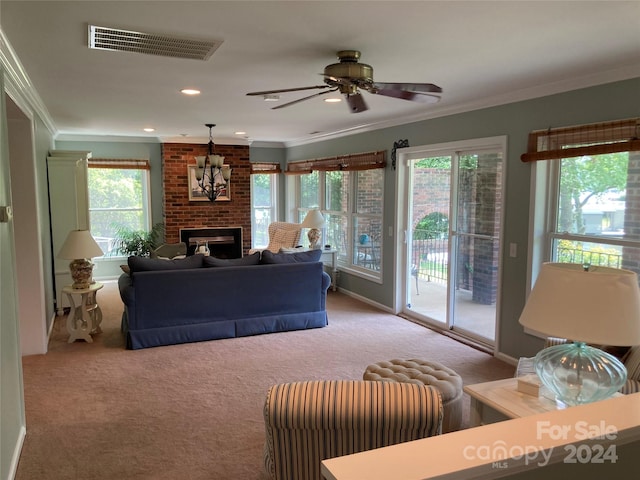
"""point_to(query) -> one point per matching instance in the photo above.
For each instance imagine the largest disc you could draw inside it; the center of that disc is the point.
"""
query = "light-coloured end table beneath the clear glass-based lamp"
(500, 400)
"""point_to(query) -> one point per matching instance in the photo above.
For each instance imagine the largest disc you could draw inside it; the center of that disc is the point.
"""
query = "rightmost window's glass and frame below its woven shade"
(593, 211)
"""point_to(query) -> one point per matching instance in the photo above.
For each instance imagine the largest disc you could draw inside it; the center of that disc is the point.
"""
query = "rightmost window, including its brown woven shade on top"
(592, 204)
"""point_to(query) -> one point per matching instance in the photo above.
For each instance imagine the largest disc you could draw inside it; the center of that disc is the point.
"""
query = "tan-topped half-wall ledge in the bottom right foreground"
(472, 453)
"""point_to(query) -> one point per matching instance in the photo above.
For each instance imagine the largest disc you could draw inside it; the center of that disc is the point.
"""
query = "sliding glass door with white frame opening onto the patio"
(450, 206)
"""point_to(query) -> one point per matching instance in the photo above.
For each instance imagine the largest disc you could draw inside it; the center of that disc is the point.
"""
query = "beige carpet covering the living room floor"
(194, 411)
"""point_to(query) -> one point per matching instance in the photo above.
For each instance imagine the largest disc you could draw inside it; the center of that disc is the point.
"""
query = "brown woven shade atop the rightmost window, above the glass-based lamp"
(594, 139)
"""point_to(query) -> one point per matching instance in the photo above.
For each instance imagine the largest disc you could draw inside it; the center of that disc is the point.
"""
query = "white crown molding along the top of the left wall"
(19, 87)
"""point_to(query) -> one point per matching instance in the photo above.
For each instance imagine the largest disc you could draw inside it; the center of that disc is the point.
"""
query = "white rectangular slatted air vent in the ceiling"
(106, 38)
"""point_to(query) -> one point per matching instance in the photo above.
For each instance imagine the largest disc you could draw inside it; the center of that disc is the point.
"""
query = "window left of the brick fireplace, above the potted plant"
(118, 197)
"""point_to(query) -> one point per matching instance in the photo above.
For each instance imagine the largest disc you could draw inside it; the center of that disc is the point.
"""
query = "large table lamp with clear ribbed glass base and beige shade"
(585, 304)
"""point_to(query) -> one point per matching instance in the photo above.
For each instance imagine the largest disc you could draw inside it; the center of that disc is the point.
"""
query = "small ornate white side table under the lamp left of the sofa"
(84, 318)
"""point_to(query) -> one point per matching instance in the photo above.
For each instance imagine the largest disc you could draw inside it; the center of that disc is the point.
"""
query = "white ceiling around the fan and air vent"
(480, 53)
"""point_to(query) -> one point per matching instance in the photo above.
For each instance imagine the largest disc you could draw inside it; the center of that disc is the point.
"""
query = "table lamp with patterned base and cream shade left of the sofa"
(80, 248)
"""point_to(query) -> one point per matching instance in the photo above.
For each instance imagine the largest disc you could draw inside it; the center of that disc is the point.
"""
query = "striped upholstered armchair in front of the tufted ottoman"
(307, 422)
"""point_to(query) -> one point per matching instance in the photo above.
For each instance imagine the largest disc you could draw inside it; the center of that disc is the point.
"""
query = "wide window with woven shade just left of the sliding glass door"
(349, 192)
